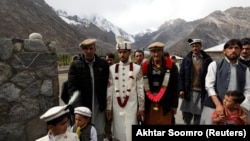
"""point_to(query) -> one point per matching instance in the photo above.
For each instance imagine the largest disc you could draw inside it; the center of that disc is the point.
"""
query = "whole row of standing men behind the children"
(148, 91)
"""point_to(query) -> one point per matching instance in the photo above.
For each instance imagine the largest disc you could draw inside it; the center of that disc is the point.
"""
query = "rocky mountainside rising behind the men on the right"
(214, 29)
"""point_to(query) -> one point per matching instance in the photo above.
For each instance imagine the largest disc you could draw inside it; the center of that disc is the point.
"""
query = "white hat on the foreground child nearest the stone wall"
(54, 113)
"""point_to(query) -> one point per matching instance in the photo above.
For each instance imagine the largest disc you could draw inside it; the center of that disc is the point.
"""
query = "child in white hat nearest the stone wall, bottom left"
(57, 122)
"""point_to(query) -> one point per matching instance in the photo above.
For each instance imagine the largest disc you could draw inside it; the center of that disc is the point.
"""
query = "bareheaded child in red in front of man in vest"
(233, 113)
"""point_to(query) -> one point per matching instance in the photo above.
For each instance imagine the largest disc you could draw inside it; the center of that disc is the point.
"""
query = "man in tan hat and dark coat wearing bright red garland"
(160, 85)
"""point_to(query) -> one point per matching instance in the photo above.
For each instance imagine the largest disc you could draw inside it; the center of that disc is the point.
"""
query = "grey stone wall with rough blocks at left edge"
(28, 87)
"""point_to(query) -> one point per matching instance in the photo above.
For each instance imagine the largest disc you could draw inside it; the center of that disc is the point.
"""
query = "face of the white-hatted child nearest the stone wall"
(60, 127)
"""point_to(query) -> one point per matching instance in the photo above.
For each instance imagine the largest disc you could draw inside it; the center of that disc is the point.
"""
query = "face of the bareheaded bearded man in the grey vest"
(232, 52)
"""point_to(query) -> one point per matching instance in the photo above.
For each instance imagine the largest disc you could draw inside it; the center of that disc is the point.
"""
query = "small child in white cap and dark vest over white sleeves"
(83, 128)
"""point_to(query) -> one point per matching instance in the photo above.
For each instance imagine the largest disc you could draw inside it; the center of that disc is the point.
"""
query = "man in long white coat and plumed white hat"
(125, 102)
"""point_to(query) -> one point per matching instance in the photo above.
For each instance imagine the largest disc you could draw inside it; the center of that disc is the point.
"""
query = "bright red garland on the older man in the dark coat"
(150, 95)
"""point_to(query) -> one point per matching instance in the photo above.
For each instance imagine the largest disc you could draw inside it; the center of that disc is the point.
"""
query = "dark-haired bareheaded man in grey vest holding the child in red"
(225, 75)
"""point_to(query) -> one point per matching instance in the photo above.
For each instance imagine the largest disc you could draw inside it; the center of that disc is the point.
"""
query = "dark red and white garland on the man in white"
(117, 91)
